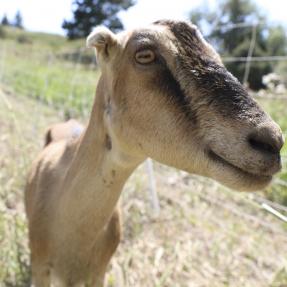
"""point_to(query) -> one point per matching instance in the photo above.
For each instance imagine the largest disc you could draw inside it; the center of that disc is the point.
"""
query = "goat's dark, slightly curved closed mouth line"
(238, 170)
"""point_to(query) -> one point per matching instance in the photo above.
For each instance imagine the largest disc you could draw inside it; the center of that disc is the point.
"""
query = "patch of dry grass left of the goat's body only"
(20, 122)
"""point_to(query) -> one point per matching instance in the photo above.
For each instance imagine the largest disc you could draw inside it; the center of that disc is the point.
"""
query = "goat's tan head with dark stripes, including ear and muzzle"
(169, 97)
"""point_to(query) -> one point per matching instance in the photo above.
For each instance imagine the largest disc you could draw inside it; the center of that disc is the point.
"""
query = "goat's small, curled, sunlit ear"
(102, 39)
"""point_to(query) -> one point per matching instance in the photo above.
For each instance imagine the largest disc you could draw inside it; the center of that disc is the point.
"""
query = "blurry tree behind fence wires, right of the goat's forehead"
(236, 42)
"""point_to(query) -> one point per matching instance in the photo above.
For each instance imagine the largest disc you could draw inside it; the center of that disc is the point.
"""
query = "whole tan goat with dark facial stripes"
(182, 108)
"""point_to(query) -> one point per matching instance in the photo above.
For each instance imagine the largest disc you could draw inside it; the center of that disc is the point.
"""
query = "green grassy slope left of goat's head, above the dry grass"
(49, 68)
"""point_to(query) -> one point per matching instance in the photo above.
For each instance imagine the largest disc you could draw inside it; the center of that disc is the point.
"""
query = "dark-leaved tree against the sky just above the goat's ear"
(90, 13)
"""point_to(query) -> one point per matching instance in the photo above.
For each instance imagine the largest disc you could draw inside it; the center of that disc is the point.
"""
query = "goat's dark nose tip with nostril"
(267, 139)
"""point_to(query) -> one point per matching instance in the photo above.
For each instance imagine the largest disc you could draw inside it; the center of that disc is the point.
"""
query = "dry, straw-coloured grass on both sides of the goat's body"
(205, 234)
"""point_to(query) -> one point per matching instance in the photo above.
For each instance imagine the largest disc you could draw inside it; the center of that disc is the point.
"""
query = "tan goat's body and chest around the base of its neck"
(64, 261)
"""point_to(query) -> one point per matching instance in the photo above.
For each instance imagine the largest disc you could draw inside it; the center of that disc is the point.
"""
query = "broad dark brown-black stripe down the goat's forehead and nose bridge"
(198, 69)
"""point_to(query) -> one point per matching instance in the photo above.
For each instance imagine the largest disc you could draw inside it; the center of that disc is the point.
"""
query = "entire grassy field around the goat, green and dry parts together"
(205, 235)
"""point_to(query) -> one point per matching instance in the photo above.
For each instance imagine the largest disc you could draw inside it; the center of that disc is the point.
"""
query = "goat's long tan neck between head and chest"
(96, 176)
